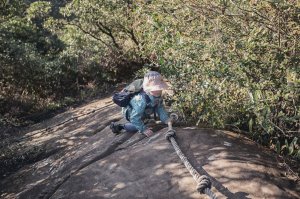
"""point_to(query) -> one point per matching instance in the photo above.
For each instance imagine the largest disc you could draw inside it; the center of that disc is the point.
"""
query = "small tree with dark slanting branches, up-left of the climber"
(103, 35)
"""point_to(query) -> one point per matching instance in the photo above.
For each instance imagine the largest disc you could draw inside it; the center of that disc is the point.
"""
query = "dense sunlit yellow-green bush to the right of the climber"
(232, 64)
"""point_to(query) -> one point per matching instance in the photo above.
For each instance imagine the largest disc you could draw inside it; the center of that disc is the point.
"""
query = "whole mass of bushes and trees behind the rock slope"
(233, 64)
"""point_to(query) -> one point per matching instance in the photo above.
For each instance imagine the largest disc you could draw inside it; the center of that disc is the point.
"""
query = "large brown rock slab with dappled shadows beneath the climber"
(85, 160)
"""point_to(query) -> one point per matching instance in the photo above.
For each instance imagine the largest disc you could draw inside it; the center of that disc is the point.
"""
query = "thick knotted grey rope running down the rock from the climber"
(203, 182)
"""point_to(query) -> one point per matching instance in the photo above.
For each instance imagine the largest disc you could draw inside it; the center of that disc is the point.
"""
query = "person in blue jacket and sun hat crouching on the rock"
(142, 105)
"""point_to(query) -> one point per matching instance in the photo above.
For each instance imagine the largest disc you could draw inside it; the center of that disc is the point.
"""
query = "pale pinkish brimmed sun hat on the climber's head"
(153, 81)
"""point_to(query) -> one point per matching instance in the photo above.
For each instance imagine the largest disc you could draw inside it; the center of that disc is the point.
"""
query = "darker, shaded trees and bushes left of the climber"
(46, 58)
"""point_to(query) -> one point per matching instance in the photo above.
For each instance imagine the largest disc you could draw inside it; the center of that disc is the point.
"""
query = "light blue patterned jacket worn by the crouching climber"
(139, 110)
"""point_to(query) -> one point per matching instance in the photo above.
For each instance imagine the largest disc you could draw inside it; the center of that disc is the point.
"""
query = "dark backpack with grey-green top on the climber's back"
(123, 97)
